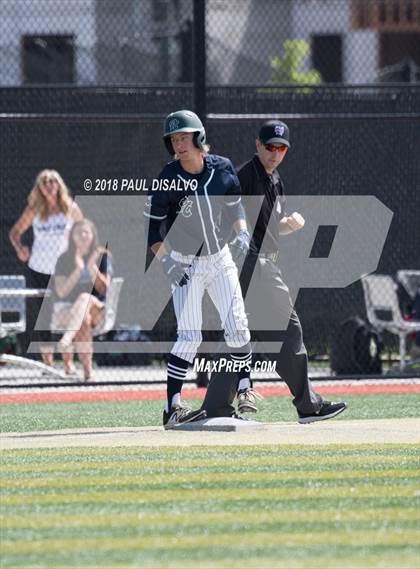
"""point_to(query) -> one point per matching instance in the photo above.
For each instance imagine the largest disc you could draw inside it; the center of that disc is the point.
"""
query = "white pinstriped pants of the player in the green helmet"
(219, 276)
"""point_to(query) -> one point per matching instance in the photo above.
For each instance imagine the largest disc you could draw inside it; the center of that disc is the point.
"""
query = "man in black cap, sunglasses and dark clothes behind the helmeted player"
(259, 177)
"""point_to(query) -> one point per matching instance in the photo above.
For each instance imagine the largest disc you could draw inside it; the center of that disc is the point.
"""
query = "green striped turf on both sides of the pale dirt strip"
(260, 507)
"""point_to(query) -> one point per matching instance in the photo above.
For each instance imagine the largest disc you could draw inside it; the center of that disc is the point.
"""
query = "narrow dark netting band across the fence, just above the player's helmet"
(157, 101)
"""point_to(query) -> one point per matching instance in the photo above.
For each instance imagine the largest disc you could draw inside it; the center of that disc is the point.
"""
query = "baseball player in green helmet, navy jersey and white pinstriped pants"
(201, 192)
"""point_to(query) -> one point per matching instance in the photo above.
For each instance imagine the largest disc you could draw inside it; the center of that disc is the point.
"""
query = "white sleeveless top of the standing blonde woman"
(51, 239)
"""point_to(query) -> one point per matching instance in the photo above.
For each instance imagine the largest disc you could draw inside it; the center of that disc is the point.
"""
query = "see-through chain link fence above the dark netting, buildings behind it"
(248, 42)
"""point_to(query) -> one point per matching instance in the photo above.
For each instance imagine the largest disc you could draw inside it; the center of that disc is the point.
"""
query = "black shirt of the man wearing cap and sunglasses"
(256, 182)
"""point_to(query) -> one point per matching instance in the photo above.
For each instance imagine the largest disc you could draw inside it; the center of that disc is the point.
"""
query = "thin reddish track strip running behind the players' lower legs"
(197, 393)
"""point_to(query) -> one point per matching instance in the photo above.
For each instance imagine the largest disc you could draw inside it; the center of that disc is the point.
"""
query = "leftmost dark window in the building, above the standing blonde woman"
(48, 59)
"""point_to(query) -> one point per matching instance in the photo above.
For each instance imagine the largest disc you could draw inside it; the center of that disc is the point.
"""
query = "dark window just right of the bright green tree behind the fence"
(327, 57)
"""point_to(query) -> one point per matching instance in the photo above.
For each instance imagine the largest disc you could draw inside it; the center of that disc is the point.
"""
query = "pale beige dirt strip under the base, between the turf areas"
(397, 431)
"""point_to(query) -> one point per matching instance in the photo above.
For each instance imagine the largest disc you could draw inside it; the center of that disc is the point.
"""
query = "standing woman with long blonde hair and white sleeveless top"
(51, 213)
